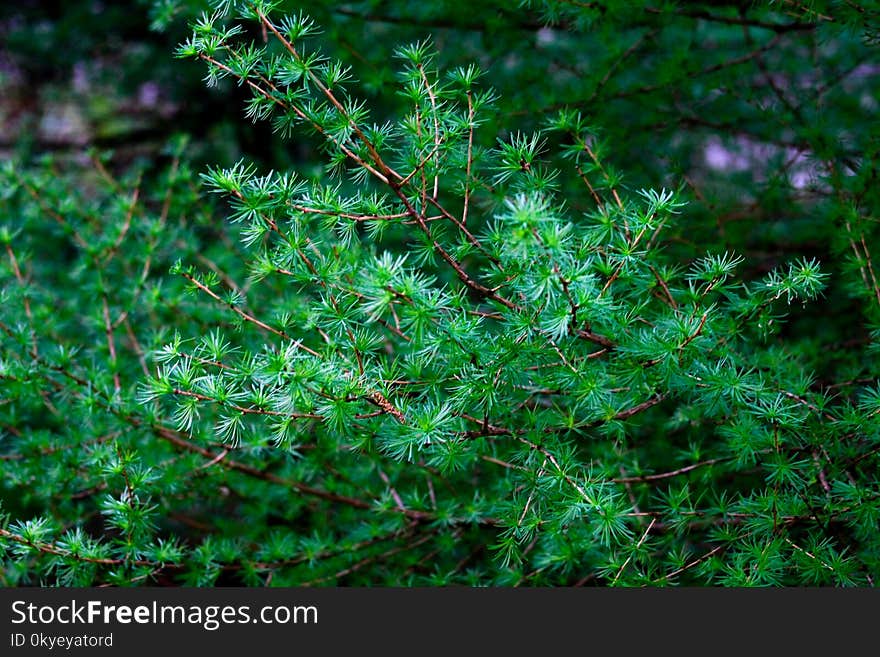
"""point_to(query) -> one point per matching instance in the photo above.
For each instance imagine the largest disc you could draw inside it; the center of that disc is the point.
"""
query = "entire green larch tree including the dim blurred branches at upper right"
(451, 342)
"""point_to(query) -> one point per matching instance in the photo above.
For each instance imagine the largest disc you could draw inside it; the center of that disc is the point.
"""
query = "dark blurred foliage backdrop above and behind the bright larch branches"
(762, 109)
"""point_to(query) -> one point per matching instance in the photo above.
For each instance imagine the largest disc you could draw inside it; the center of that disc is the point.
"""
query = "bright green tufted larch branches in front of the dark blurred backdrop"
(455, 354)
